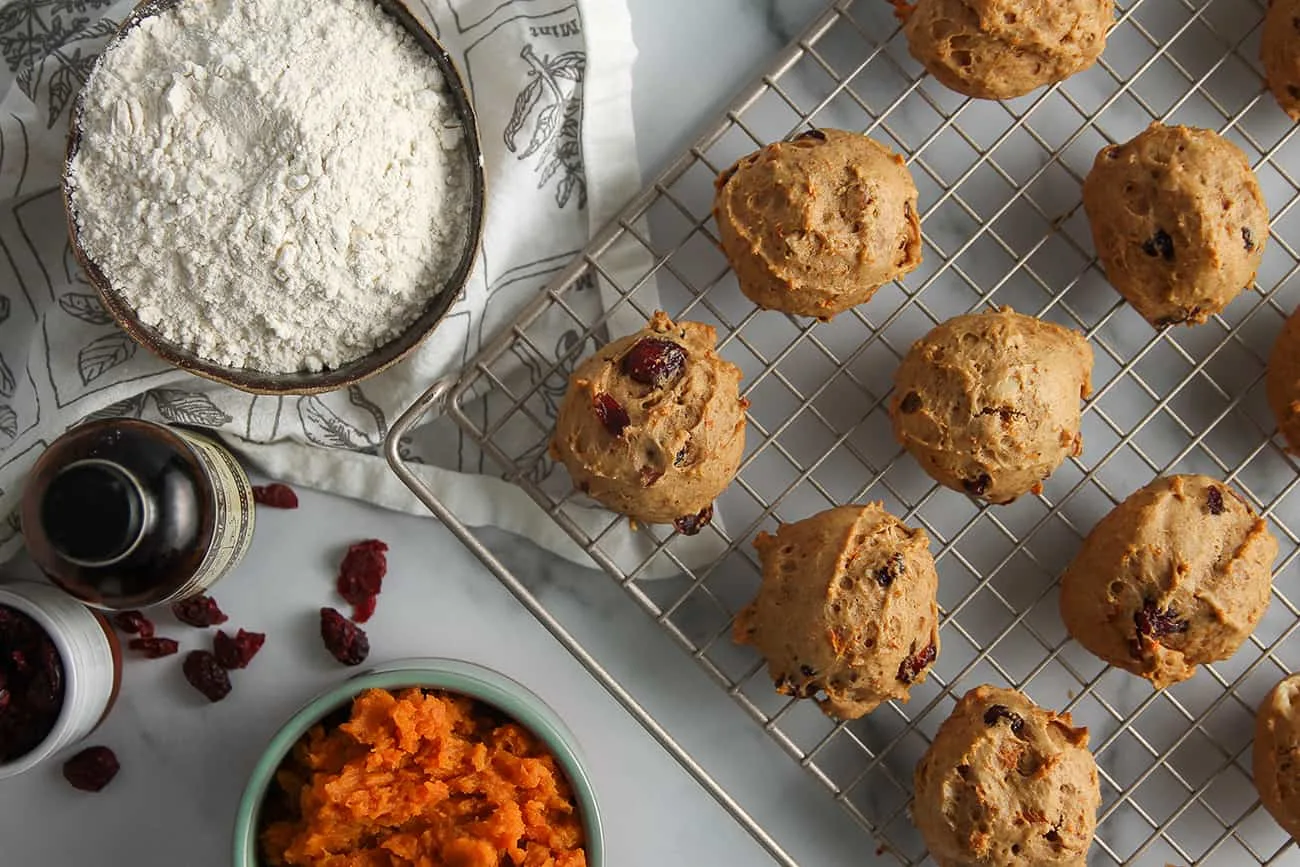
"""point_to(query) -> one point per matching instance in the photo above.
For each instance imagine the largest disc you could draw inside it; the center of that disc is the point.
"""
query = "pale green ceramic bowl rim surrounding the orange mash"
(456, 677)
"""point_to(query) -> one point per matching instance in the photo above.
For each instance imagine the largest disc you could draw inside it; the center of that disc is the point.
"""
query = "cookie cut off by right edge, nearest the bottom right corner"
(1276, 757)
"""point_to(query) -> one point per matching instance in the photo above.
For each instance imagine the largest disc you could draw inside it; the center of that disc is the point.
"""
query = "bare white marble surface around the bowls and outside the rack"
(185, 761)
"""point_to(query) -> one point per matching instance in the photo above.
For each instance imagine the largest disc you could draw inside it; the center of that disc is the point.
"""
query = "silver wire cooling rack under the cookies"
(1000, 197)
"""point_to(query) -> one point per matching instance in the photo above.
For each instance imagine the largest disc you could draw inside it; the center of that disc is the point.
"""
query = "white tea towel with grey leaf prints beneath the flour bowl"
(552, 86)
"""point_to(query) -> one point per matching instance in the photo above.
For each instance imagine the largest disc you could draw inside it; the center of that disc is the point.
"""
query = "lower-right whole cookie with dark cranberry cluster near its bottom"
(1173, 578)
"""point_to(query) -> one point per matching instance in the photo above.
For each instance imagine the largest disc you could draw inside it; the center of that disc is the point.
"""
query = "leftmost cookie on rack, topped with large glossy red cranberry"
(653, 424)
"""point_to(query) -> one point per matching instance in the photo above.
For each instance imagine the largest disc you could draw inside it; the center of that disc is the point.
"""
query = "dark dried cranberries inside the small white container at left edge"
(32, 684)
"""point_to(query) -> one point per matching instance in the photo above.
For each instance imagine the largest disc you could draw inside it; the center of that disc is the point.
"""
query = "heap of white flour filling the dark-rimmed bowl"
(275, 184)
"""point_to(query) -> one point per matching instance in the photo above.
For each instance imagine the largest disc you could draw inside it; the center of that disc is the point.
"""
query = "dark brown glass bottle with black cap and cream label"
(128, 514)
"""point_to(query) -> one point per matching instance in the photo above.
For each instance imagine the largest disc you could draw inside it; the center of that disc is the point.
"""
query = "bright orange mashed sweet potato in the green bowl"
(423, 779)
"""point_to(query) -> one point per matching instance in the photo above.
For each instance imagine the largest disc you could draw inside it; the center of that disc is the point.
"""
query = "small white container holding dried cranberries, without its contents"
(93, 666)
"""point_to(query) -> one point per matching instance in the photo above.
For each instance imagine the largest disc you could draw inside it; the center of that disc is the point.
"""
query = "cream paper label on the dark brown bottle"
(233, 514)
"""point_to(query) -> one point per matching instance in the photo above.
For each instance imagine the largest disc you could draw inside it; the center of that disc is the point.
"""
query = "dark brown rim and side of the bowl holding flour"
(301, 383)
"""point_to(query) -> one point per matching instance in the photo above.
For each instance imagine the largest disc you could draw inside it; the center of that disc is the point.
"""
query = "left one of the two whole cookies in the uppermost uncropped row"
(817, 226)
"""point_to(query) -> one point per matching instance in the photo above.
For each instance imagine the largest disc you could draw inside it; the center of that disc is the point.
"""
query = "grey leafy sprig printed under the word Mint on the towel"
(552, 105)
